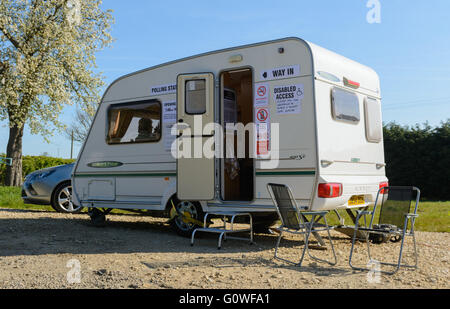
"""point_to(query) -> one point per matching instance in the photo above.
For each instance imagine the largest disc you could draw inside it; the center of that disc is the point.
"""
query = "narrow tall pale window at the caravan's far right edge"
(374, 126)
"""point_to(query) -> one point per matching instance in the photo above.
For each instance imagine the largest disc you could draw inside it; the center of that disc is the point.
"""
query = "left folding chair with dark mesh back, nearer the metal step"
(294, 220)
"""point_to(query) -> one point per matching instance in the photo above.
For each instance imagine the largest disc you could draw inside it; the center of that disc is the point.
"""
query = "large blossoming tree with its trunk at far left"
(47, 58)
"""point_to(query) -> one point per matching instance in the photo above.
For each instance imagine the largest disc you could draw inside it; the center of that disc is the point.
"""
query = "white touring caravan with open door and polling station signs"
(320, 113)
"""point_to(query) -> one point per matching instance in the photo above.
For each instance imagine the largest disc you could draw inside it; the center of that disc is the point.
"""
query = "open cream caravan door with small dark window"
(195, 169)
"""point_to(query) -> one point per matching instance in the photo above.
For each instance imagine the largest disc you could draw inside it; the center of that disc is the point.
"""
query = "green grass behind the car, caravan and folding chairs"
(433, 216)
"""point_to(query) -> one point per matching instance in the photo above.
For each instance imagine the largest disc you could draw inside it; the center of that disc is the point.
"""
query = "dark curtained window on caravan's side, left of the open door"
(138, 122)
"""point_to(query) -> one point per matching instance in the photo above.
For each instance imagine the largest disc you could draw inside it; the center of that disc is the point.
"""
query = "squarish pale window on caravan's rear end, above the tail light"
(345, 106)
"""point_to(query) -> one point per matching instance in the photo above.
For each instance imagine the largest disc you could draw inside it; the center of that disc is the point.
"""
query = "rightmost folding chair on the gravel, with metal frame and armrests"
(393, 223)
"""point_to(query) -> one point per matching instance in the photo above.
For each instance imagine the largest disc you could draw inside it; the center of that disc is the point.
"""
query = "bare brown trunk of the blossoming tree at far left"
(14, 151)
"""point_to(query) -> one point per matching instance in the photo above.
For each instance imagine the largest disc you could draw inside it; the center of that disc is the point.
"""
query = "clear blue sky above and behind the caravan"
(410, 48)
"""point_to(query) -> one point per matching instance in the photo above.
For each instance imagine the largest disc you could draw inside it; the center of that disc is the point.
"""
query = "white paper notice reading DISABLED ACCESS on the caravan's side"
(288, 98)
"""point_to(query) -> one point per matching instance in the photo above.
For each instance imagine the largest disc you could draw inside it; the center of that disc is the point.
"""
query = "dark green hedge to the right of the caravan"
(419, 156)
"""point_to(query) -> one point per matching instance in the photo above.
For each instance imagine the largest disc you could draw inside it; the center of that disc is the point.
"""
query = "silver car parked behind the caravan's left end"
(51, 186)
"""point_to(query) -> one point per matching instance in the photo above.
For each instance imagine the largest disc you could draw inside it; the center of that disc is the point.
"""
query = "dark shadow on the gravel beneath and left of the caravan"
(53, 233)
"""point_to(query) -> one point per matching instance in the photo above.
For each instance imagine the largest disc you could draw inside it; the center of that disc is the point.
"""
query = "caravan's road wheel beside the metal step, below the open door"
(186, 212)
